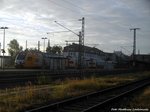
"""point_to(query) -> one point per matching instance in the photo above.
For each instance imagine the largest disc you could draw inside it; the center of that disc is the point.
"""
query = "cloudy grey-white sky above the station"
(107, 22)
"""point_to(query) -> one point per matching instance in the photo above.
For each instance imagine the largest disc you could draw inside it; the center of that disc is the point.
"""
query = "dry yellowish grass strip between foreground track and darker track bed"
(19, 98)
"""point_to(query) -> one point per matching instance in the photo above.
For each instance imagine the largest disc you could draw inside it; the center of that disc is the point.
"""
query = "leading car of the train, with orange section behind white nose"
(36, 59)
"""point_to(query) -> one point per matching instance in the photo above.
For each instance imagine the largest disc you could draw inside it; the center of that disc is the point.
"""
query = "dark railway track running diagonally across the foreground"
(97, 101)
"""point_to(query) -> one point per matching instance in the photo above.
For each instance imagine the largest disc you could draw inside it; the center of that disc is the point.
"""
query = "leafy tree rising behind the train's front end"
(14, 48)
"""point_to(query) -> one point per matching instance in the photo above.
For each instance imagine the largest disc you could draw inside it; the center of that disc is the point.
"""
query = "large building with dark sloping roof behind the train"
(92, 57)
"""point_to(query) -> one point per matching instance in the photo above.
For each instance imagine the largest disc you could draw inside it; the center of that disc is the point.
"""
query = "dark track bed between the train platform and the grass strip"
(17, 77)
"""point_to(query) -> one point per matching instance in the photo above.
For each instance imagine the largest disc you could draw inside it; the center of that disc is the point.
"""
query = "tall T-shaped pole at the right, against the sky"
(134, 42)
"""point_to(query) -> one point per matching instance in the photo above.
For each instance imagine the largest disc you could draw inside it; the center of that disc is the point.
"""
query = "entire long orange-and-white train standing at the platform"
(37, 59)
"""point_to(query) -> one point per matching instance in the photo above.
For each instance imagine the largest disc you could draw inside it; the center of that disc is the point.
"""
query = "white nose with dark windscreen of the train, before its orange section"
(20, 60)
